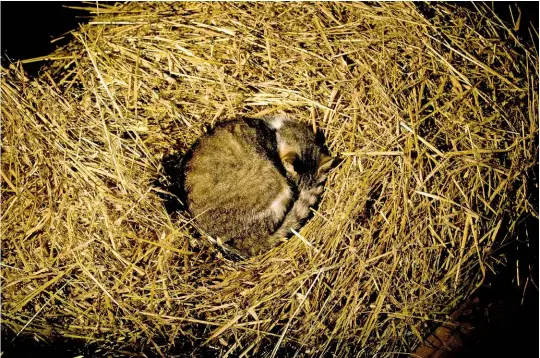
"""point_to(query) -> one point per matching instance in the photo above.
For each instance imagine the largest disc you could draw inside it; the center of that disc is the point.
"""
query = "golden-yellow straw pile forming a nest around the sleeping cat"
(433, 109)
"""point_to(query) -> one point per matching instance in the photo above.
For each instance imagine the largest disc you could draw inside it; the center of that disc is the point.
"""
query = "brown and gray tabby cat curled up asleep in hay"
(249, 182)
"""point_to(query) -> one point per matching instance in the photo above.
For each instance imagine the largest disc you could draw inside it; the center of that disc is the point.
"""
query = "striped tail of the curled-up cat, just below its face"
(299, 212)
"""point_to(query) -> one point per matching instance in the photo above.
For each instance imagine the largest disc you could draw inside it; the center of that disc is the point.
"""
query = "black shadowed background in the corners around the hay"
(507, 315)
